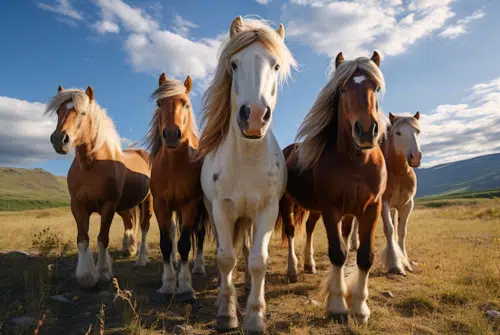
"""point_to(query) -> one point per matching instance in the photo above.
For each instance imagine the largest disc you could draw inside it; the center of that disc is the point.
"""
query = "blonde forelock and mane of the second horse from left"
(170, 88)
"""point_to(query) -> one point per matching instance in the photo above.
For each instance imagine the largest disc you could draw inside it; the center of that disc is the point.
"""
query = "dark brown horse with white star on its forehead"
(338, 171)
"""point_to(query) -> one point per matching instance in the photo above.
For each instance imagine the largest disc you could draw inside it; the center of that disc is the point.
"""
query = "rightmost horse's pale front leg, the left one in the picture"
(392, 255)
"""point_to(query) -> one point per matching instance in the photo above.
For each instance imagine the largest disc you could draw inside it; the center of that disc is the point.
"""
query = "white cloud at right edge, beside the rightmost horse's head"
(462, 131)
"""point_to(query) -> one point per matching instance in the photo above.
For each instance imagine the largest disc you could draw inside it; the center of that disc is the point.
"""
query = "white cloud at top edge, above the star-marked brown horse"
(358, 28)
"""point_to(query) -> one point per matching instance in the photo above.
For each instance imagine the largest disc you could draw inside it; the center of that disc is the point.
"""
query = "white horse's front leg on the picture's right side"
(257, 265)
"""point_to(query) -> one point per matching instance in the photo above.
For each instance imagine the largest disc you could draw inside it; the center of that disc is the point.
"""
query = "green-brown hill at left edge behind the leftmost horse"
(22, 189)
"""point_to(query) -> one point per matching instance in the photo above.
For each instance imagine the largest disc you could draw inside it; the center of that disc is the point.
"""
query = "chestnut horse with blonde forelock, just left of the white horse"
(172, 140)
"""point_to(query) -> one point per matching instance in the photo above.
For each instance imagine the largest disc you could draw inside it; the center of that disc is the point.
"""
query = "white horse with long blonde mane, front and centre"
(243, 174)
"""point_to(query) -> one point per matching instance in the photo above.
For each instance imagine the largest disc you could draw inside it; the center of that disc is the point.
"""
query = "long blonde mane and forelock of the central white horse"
(216, 112)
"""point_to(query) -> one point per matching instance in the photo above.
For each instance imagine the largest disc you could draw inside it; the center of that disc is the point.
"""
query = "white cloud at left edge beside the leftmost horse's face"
(25, 135)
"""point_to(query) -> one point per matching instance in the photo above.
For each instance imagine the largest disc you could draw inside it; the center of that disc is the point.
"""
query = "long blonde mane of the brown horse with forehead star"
(315, 130)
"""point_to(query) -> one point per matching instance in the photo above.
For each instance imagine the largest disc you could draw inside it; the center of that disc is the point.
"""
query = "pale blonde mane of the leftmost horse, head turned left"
(102, 129)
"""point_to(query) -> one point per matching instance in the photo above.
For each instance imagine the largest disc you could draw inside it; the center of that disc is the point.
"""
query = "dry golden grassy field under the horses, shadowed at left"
(456, 280)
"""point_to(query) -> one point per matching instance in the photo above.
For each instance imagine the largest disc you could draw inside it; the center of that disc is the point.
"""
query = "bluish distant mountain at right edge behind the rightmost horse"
(475, 174)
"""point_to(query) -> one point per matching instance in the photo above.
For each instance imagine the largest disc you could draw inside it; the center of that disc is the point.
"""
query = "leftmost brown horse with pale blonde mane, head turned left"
(102, 179)
